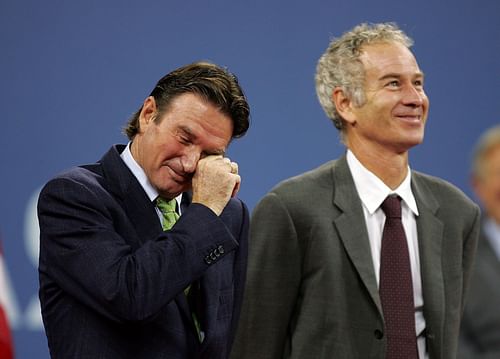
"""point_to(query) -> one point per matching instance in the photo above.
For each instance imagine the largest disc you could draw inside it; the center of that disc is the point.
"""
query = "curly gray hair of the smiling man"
(340, 66)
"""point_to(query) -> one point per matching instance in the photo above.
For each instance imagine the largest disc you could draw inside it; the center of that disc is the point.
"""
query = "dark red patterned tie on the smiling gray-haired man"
(396, 286)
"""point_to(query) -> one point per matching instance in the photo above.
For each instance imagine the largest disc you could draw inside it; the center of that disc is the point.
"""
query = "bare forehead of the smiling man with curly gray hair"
(383, 58)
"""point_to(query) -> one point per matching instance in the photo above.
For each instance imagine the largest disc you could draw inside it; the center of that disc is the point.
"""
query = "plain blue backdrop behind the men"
(72, 72)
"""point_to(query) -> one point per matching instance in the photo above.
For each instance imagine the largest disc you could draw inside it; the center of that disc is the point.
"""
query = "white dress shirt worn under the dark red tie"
(372, 192)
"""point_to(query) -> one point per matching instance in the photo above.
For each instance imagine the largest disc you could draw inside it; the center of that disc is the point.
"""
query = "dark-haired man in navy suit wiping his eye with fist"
(116, 279)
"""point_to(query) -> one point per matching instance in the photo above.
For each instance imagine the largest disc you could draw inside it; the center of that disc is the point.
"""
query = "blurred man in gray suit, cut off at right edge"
(480, 332)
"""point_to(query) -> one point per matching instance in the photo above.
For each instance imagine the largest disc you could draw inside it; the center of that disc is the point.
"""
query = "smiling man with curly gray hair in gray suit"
(315, 247)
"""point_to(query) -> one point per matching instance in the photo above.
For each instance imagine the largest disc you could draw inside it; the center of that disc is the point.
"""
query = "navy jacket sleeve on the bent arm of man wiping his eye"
(91, 251)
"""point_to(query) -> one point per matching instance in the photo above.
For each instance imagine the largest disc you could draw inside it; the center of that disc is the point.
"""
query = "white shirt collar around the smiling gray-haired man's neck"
(372, 191)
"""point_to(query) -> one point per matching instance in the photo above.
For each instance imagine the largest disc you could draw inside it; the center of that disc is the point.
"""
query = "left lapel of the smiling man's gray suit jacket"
(352, 227)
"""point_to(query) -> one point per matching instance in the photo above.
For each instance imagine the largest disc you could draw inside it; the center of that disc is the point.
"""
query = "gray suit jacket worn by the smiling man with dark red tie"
(311, 289)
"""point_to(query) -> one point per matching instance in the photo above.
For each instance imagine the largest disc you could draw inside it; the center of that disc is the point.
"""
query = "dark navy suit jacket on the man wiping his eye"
(111, 281)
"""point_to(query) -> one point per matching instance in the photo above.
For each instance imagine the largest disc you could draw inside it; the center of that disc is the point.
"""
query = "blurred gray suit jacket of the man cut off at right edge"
(480, 332)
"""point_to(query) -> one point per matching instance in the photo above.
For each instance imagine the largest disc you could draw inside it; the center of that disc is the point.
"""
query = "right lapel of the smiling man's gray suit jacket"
(430, 238)
